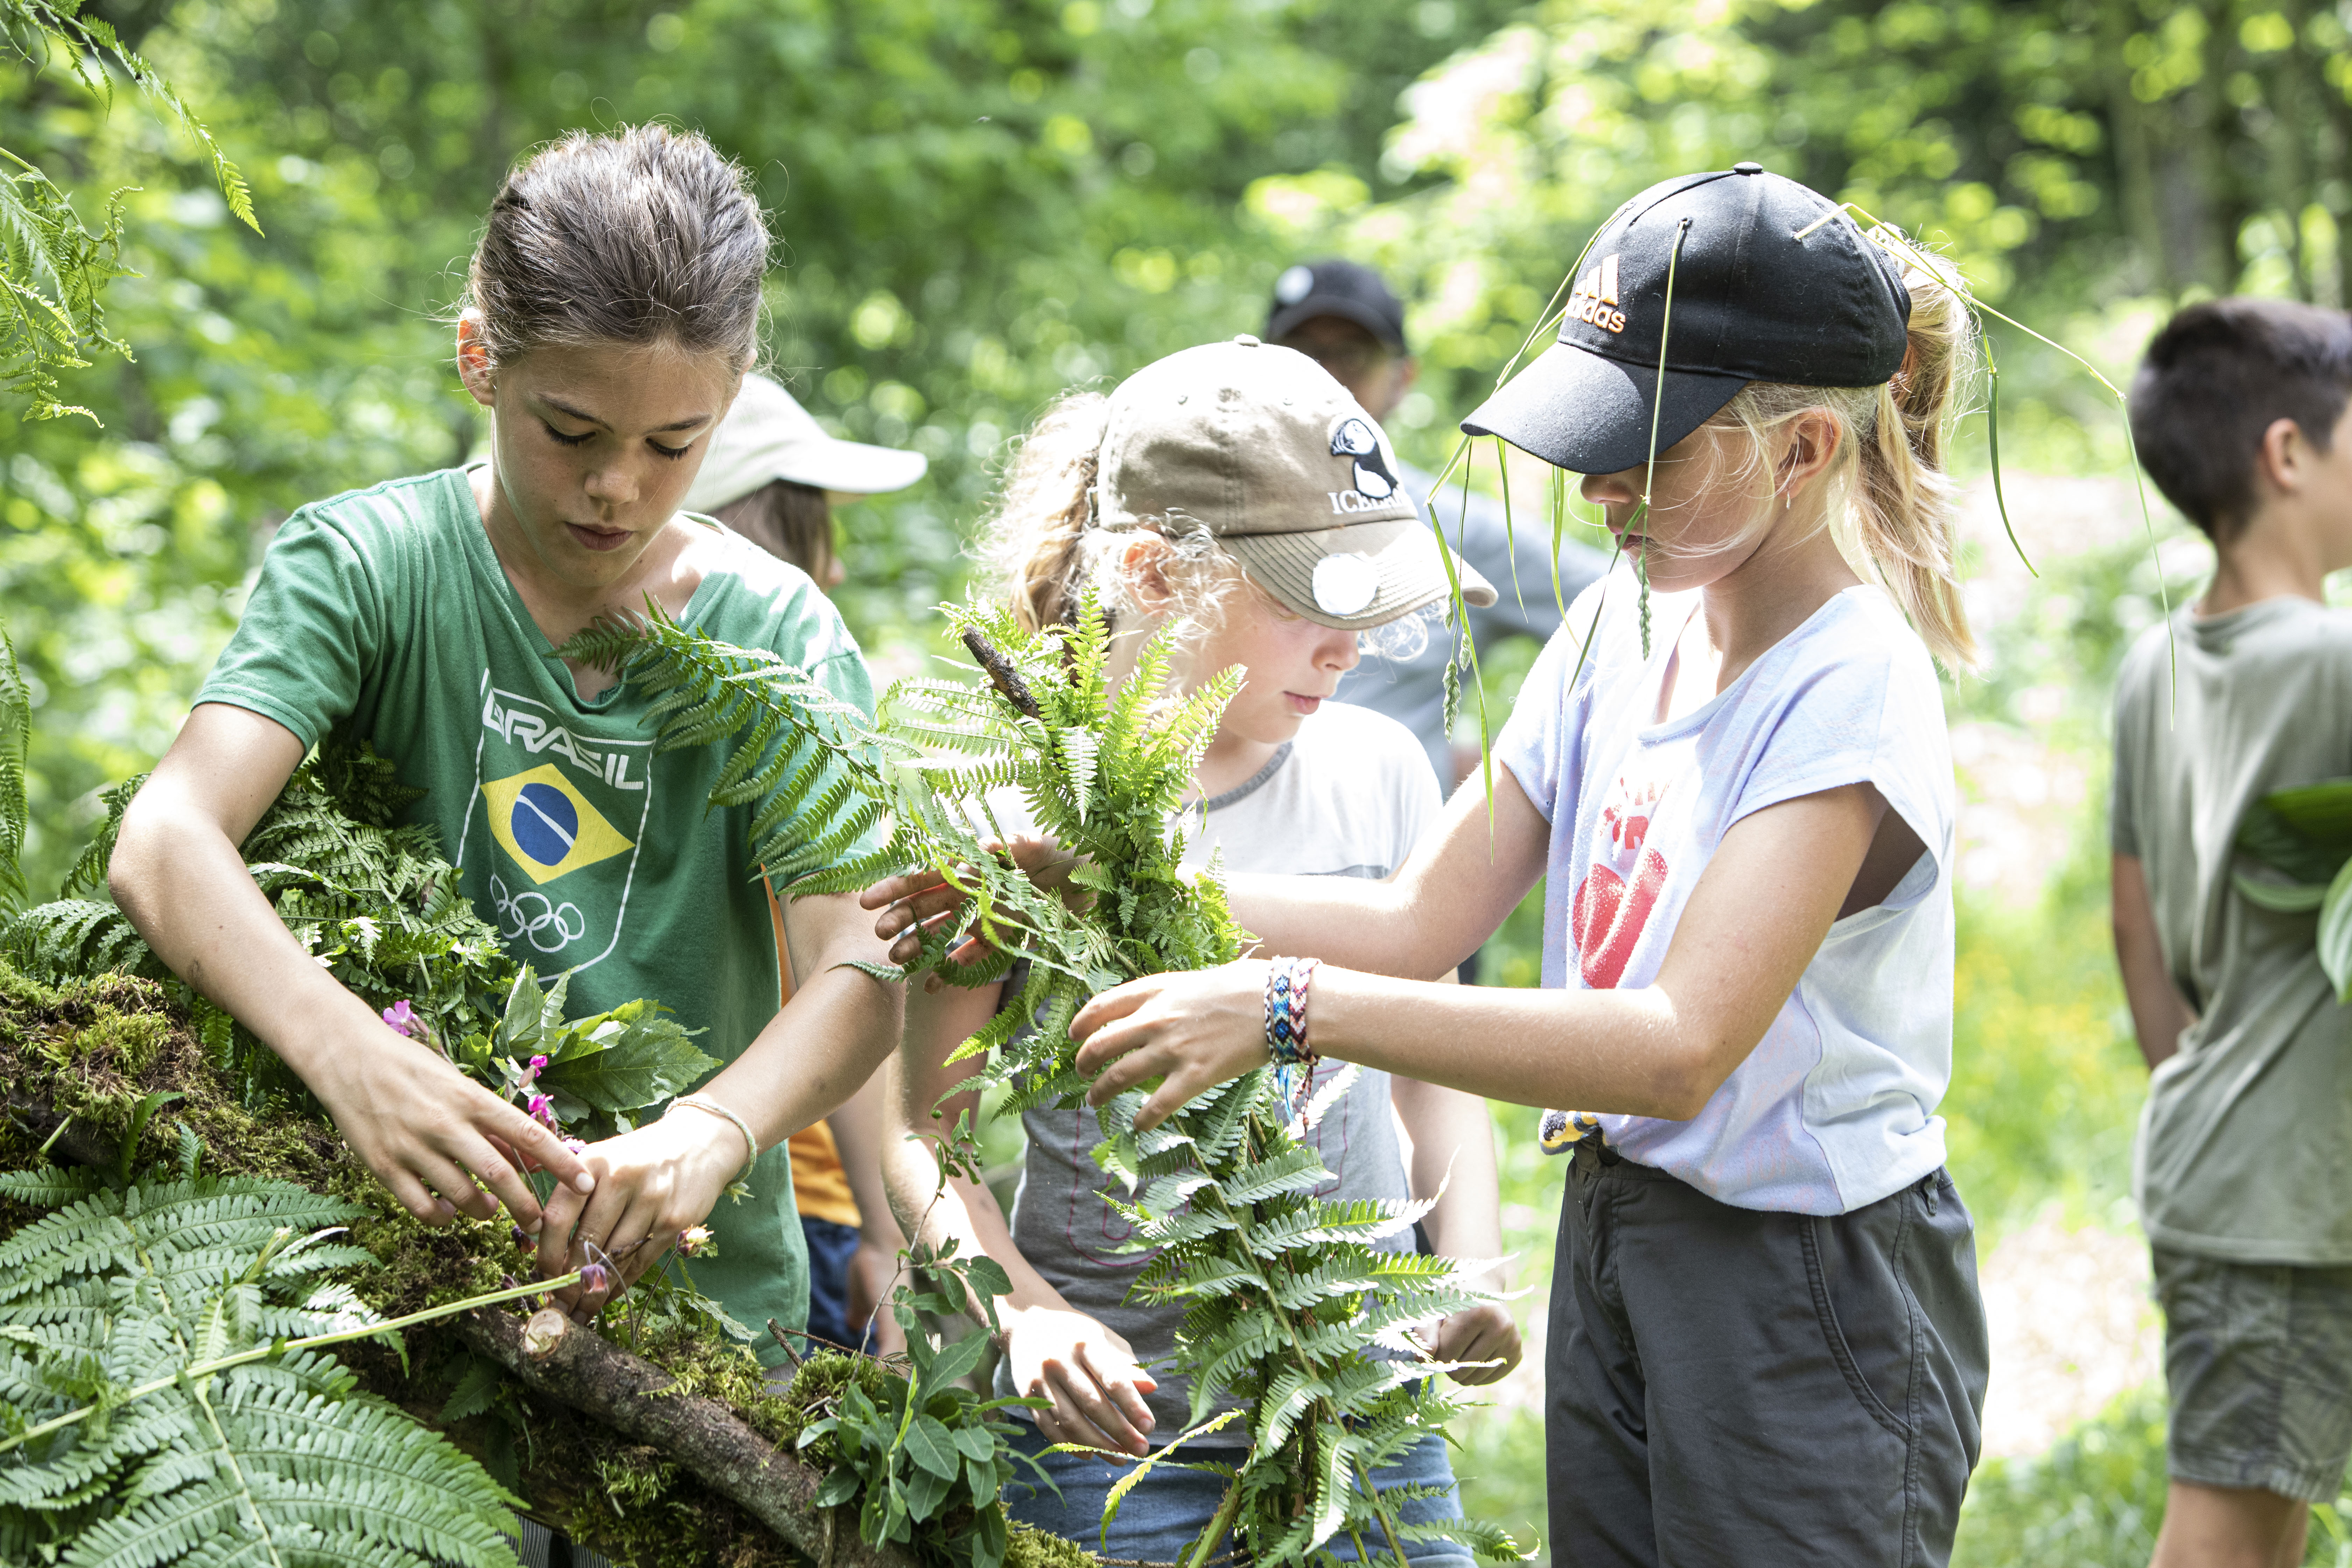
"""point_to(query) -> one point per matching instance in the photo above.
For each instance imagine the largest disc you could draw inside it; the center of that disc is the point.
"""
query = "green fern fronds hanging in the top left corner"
(53, 269)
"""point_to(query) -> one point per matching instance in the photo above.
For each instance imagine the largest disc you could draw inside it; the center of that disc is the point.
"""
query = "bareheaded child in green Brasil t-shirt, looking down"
(610, 321)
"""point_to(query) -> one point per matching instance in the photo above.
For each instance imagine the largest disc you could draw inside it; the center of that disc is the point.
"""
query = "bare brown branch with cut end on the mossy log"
(577, 1367)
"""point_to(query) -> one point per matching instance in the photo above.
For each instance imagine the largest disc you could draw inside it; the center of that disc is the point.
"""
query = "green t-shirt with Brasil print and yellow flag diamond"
(387, 612)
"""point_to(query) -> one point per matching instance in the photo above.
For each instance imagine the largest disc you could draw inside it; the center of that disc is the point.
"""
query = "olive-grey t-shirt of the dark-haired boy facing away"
(2245, 1139)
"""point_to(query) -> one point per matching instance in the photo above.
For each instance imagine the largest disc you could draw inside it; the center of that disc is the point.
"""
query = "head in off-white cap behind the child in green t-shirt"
(773, 476)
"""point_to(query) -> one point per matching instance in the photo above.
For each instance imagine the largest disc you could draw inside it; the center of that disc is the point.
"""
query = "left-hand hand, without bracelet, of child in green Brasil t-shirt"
(427, 1130)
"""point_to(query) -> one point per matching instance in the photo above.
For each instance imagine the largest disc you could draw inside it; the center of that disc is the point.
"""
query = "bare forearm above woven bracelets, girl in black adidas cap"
(1612, 1052)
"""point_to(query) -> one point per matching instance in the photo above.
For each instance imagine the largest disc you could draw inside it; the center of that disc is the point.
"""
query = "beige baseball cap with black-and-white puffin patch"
(1285, 469)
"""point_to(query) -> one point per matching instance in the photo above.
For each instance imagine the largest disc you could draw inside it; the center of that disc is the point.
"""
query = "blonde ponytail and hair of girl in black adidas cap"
(1899, 507)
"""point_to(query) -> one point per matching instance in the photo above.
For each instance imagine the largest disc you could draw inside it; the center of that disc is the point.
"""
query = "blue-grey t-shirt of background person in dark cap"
(1518, 561)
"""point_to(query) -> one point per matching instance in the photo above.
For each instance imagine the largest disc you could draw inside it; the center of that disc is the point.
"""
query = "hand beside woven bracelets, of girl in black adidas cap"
(1194, 1031)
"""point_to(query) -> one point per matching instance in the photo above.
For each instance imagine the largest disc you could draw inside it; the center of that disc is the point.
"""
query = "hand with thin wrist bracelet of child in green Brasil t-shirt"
(650, 1186)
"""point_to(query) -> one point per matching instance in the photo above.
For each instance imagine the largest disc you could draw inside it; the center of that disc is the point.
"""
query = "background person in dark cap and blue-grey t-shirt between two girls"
(1347, 319)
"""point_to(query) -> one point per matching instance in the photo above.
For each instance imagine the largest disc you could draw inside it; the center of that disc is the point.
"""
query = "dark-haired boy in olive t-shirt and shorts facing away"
(2243, 1165)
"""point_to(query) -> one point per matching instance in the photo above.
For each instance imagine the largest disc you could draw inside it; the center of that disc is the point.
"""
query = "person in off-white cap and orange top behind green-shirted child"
(770, 476)
